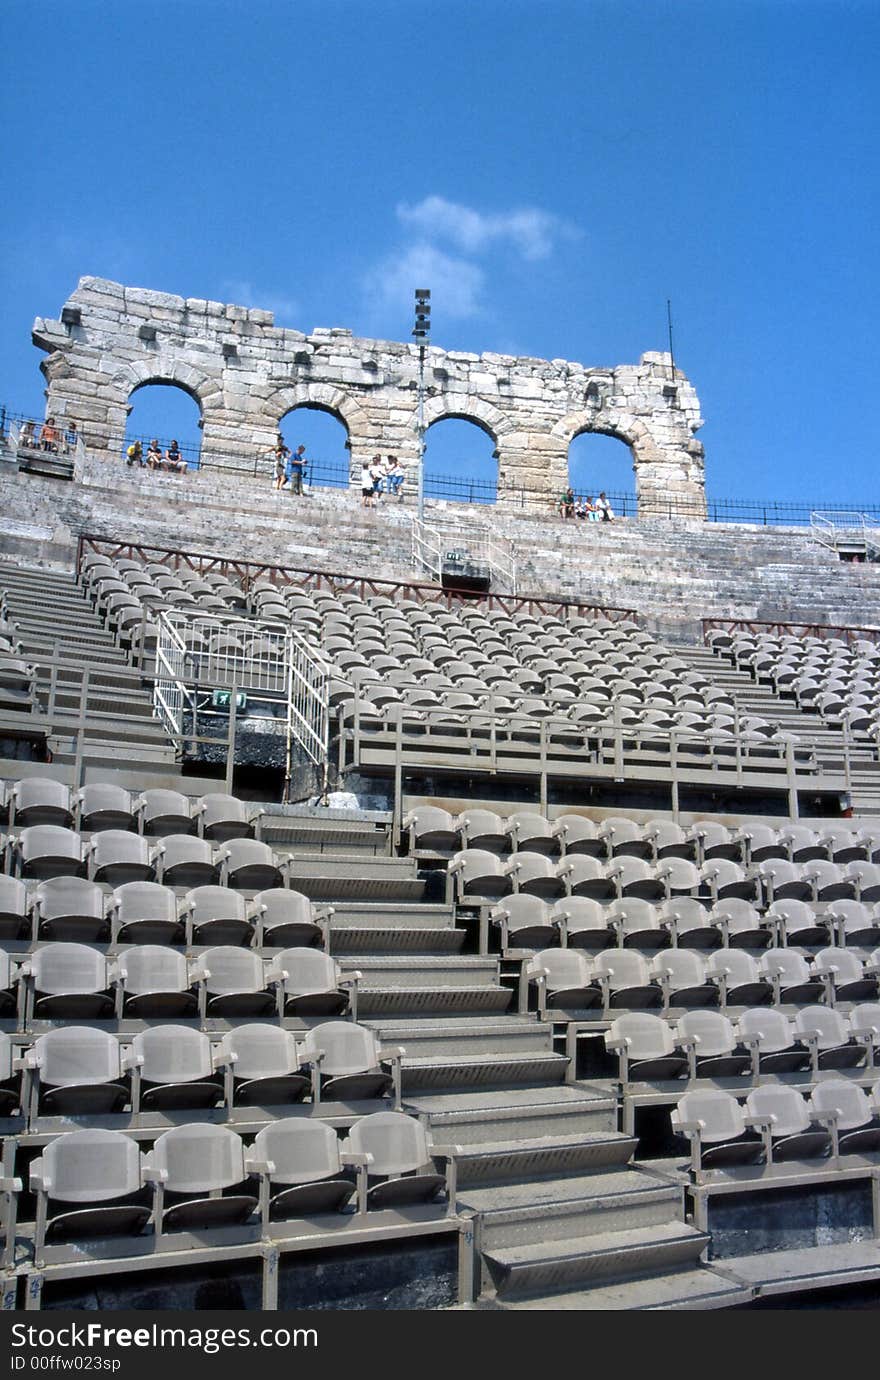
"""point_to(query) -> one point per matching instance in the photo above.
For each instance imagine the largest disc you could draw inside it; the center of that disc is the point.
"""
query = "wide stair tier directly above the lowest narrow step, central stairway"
(580, 1205)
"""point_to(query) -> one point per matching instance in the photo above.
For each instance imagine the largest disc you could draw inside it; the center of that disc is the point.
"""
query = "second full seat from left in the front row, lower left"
(201, 1160)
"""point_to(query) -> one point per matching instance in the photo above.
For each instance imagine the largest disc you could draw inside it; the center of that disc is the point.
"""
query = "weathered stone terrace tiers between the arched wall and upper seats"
(671, 572)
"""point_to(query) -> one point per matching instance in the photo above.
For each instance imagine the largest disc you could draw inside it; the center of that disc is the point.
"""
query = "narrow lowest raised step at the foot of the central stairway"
(547, 1268)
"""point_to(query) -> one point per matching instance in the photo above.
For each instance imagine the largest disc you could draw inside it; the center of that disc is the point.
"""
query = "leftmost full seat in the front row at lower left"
(99, 1175)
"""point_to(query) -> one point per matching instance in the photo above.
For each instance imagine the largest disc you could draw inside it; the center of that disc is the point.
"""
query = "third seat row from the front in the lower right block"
(614, 979)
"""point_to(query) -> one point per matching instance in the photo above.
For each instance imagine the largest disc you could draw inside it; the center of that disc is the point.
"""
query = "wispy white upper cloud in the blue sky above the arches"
(529, 230)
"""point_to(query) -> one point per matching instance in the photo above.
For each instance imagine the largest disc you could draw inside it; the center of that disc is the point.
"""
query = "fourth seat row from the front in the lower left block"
(148, 913)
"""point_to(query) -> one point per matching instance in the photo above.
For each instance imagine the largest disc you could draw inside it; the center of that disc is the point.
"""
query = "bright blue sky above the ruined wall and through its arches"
(554, 170)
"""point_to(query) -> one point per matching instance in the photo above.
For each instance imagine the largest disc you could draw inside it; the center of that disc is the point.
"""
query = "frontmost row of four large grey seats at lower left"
(97, 1185)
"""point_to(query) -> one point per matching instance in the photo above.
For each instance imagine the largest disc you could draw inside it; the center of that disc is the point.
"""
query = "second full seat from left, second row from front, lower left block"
(176, 1069)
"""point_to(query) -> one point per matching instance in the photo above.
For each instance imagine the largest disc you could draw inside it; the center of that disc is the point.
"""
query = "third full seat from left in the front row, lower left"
(307, 1159)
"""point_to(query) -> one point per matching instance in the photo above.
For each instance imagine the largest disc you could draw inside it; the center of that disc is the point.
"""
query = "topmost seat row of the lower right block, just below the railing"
(438, 833)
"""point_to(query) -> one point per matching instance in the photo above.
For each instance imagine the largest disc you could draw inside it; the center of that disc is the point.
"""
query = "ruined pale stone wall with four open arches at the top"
(246, 373)
